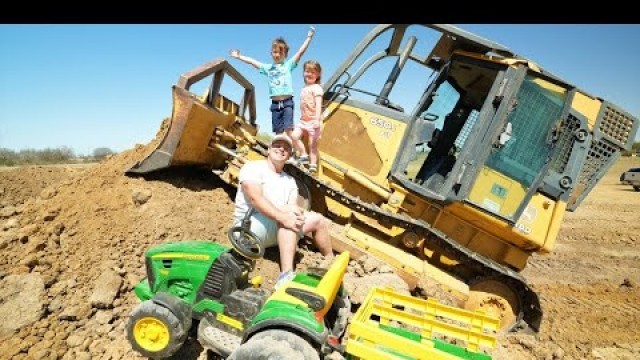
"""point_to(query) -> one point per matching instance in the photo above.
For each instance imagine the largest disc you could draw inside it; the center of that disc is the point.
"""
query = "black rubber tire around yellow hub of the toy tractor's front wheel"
(175, 326)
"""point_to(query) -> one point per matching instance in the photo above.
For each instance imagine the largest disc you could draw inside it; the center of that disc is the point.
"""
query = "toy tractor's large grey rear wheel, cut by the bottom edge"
(275, 344)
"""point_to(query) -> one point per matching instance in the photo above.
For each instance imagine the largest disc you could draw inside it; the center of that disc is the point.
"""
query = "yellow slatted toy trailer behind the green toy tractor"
(390, 325)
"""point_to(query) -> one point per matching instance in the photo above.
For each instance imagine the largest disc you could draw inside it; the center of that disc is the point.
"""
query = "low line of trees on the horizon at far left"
(46, 156)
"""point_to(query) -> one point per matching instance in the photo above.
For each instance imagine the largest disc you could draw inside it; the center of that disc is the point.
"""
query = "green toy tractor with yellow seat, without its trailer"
(209, 282)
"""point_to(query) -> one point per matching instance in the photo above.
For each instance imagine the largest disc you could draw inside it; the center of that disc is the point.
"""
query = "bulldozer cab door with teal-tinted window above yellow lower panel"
(511, 158)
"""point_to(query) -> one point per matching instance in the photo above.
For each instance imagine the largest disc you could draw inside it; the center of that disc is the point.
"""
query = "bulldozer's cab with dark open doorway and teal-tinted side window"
(492, 148)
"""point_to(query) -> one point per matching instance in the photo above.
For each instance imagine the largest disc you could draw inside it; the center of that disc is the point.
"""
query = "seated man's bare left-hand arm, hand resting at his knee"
(287, 218)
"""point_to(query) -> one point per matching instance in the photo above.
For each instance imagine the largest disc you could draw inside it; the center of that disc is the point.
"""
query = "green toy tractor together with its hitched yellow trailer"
(305, 318)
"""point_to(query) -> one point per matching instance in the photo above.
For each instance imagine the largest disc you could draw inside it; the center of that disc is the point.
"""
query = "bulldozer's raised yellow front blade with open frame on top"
(192, 136)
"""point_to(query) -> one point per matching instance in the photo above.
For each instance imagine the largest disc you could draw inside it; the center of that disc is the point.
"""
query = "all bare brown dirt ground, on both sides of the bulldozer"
(72, 241)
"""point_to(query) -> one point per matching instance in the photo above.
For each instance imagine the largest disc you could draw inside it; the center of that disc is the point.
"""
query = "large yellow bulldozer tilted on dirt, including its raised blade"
(462, 188)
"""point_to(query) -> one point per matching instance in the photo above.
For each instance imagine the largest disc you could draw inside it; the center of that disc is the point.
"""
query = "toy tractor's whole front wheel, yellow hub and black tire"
(154, 331)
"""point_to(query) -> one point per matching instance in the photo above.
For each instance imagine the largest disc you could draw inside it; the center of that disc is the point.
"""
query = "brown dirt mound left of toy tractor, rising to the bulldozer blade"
(75, 226)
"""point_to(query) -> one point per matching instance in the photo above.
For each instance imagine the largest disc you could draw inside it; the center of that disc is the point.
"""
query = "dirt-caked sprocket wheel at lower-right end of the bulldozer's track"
(497, 299)
